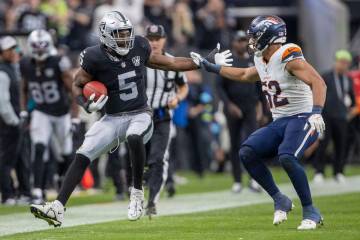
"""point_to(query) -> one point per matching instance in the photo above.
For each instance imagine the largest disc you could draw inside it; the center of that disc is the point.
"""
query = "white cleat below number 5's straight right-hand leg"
(135, 209)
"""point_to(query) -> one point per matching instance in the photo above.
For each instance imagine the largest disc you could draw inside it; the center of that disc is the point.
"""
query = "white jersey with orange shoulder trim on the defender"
(286, 94)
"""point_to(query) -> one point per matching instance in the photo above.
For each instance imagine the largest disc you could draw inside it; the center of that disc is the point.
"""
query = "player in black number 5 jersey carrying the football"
(118, 62)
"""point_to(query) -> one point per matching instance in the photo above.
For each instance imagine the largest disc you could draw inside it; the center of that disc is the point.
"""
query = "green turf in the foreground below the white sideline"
(341, 212)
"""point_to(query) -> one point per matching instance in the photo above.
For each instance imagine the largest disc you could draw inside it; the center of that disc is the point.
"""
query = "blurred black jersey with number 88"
(45, 84)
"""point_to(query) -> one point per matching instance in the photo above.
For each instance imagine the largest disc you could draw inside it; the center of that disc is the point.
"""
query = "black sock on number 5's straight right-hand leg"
(137, 158)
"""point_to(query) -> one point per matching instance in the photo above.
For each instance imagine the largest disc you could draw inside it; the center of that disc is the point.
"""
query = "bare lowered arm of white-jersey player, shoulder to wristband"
(305, 72)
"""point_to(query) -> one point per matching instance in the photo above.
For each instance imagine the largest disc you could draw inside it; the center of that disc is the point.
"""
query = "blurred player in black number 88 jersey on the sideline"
(47, 80)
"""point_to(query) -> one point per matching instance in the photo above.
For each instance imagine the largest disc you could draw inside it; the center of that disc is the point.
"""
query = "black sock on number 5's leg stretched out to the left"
(73, 177)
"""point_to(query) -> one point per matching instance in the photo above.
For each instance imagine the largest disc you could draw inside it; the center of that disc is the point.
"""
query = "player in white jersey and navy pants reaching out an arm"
(296, 94)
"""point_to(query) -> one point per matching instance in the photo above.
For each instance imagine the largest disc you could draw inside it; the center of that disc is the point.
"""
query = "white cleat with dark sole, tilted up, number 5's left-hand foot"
(52, 212)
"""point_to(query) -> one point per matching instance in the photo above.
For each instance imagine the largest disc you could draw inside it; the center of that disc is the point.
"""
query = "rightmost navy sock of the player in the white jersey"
(298, 178)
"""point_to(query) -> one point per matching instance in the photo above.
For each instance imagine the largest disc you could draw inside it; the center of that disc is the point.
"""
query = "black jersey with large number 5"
(122, 76)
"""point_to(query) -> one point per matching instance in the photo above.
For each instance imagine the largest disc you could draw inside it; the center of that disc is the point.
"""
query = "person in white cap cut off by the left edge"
(9, 117)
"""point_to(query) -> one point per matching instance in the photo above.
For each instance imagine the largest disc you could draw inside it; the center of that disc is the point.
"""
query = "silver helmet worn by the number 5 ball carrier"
(116, 32)
